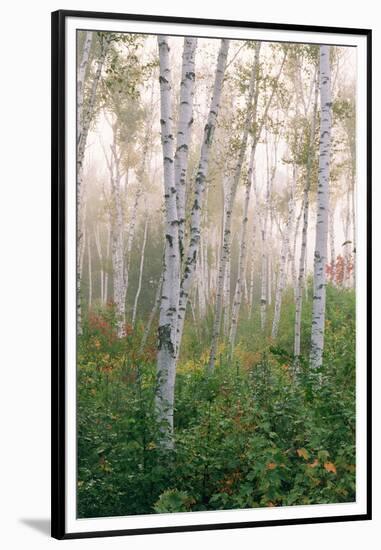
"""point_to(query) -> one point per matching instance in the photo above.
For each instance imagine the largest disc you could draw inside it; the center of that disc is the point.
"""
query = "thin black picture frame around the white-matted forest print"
(58, 220)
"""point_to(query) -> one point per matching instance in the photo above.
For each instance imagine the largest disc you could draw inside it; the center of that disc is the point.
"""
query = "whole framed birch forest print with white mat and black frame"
(211, 274)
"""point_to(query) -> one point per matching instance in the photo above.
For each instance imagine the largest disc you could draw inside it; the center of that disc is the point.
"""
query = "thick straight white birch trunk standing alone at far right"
(320, 259)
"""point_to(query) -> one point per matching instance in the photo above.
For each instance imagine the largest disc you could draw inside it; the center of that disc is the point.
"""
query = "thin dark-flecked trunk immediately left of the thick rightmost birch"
(303, 248)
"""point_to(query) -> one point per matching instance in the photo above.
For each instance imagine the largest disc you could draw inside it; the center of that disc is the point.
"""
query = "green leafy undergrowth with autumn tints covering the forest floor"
(258, 432)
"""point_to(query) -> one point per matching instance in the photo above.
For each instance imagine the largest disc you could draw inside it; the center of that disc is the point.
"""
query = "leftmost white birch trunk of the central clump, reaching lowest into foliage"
(169, 304)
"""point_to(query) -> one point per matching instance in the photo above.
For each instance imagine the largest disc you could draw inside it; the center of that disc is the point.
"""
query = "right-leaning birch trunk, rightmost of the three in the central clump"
(202, 172)
